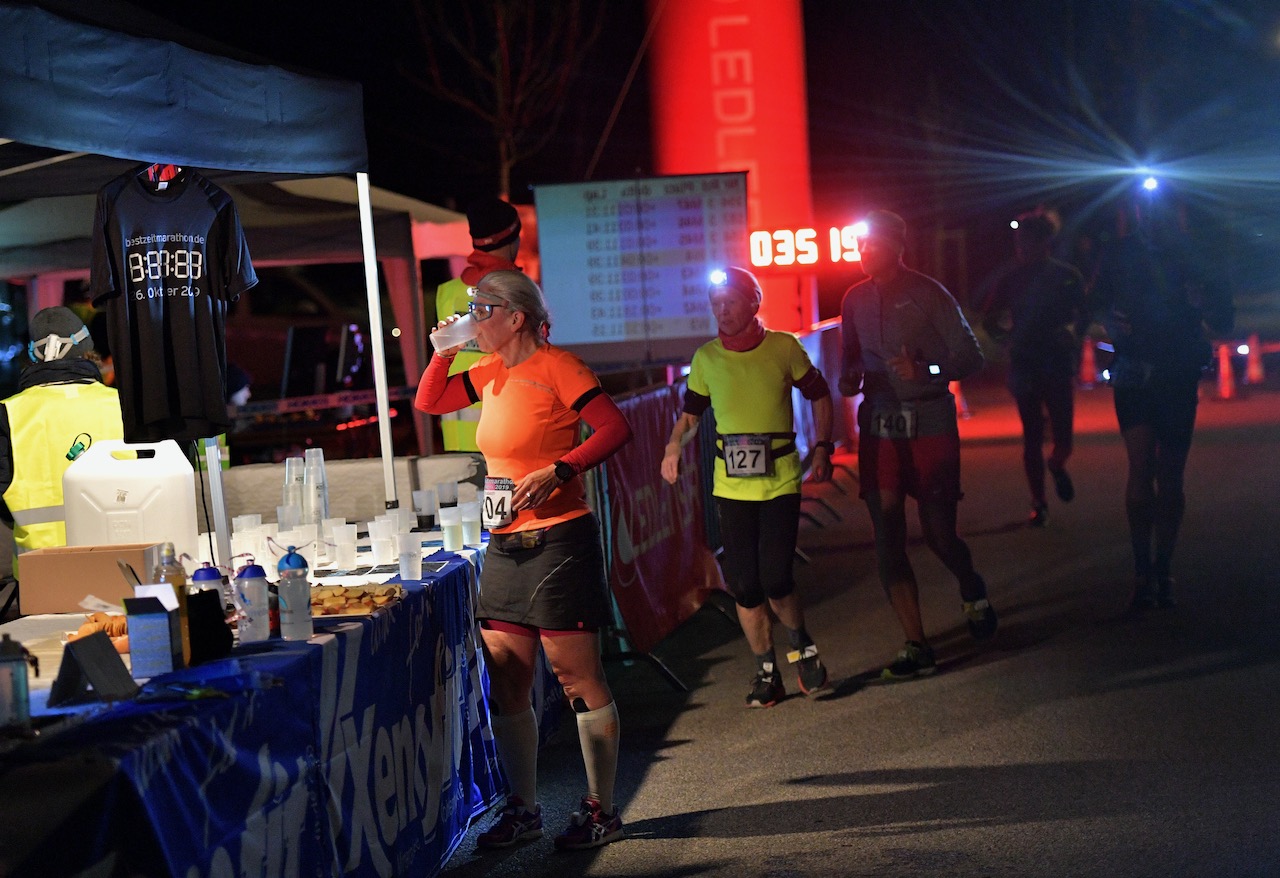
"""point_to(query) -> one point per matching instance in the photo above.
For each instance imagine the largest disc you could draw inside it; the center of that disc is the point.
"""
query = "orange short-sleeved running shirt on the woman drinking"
(528, 423)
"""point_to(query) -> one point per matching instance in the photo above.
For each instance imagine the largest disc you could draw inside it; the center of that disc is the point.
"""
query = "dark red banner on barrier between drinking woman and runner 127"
(661, 568)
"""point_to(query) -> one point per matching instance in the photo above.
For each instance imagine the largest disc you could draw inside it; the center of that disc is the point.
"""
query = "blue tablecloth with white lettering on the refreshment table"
(363, 752)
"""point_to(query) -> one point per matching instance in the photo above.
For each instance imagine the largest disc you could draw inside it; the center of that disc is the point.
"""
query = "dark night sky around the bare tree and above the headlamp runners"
(957, 113)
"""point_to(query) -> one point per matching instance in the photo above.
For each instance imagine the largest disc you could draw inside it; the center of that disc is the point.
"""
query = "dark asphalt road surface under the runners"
(1081, 742)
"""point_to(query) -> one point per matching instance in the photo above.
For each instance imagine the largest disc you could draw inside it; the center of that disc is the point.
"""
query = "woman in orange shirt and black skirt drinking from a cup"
(545, 571)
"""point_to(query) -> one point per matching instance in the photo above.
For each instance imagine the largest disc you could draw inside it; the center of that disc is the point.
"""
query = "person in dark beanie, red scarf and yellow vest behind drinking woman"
(495, 227)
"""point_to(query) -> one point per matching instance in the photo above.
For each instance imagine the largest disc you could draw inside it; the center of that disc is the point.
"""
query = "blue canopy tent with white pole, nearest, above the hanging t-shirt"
(80, 104)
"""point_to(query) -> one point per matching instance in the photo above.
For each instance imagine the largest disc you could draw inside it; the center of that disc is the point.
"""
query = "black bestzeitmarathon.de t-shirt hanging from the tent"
(170, 257)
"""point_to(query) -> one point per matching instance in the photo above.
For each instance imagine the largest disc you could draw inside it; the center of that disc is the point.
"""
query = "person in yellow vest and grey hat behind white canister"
(62, 403)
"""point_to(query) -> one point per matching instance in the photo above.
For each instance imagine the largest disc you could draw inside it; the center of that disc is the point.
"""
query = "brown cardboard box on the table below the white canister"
(56, 580)
